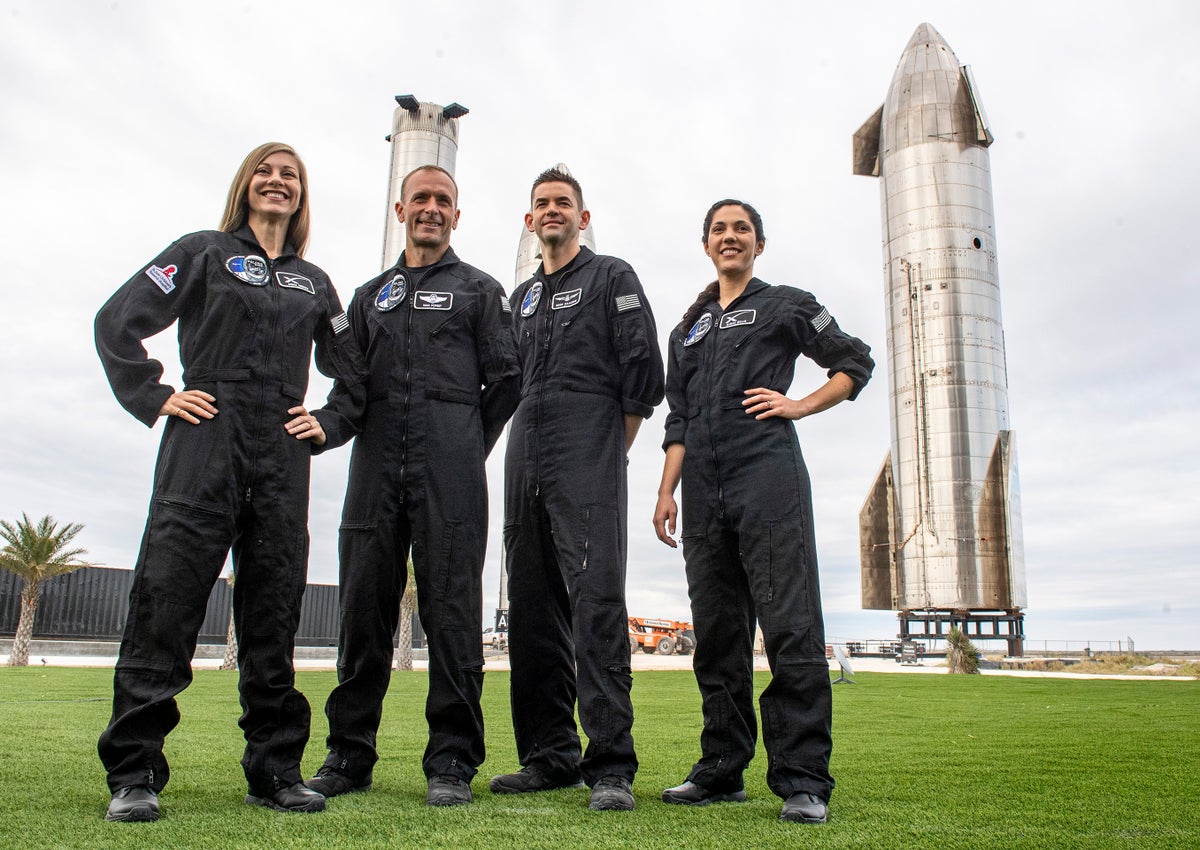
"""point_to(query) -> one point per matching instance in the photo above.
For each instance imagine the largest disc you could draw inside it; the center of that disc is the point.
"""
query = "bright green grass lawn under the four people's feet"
(921, 762)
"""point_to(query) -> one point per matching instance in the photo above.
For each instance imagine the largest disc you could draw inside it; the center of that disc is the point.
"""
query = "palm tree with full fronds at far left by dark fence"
(37, 554)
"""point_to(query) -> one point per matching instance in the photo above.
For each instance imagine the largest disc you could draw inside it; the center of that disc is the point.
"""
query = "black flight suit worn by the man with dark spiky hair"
(590, 356)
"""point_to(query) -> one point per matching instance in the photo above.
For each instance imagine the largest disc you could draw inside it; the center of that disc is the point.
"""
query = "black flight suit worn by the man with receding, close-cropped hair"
(442, 382)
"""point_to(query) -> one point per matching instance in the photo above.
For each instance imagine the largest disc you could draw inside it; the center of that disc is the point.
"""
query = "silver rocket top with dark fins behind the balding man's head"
(422, 135)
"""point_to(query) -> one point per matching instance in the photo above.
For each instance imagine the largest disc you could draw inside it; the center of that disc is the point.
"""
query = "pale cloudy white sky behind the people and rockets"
(124, 122)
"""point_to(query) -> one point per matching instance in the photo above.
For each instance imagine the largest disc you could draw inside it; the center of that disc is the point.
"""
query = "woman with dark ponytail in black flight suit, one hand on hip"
(748, 537)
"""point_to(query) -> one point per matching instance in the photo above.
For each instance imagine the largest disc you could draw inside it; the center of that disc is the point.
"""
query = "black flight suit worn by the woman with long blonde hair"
(241, 482)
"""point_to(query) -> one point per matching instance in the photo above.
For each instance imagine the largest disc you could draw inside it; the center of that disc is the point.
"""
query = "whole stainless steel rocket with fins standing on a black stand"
(941, 528)
